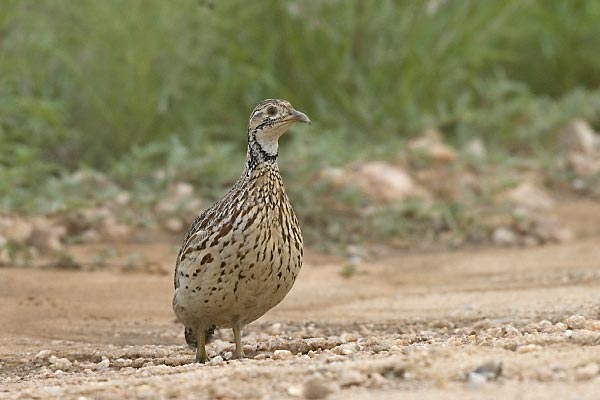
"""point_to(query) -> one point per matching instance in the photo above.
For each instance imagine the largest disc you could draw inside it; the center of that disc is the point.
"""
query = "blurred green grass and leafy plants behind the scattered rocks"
(130, 87)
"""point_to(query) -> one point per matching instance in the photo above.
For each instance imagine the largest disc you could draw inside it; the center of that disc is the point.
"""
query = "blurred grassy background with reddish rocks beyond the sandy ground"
(436, 123)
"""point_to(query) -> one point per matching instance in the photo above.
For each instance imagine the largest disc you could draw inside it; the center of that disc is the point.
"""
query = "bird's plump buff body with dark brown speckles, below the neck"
(241, 256)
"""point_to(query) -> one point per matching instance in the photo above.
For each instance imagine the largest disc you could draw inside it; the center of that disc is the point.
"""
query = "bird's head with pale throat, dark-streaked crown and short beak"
(269, 120)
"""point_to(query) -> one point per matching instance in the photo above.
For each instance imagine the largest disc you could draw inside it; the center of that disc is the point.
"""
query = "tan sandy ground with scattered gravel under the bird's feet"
(486, 323)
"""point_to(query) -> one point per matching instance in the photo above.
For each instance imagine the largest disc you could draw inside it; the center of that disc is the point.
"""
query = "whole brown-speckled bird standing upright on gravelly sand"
(241, 256)
